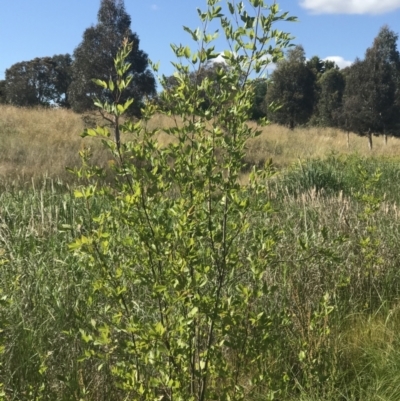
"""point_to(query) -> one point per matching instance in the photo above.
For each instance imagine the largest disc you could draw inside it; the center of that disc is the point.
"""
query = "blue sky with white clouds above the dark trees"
(327, 28)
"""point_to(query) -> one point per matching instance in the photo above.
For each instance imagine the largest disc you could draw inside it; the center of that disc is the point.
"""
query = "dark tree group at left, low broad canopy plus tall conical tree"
(66, 81)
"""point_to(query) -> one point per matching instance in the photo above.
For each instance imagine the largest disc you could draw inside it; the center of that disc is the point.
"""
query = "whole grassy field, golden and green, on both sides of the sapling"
(329, 243)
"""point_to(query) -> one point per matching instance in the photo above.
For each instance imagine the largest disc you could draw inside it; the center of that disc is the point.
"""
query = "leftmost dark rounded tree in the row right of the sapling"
(292, 87)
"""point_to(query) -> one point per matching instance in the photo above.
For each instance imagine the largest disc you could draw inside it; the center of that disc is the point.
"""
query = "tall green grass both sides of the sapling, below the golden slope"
(335, 333)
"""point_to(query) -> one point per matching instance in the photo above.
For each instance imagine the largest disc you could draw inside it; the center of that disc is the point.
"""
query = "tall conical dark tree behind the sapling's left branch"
(94, 58)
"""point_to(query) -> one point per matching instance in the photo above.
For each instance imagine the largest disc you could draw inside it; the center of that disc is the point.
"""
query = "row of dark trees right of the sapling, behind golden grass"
(363, 98)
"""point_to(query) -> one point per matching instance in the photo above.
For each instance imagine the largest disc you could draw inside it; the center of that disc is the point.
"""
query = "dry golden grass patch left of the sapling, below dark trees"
(39, 142)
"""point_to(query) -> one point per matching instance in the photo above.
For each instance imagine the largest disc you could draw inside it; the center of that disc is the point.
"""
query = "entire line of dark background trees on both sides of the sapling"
(363, 98)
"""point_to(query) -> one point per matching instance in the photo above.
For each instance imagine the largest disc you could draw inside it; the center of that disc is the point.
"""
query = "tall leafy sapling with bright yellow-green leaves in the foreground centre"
(175, 259)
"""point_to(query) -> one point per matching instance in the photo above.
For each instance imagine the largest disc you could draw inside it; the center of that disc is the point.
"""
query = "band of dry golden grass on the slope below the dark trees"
(37, 142)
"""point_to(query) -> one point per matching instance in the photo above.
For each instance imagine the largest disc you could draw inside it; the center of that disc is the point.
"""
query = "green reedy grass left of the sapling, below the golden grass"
(41, 294)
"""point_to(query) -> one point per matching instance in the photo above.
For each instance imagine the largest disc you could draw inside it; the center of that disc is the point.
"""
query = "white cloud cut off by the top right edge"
(350, 6)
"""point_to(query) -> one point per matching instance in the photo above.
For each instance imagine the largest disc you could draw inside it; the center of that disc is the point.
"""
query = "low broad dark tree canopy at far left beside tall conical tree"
(39, 82)
